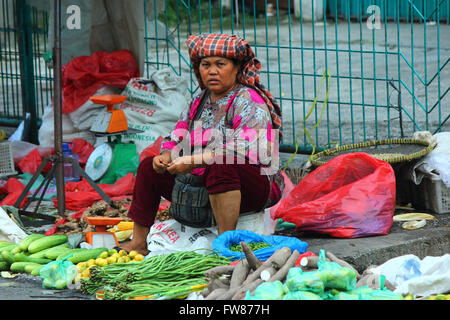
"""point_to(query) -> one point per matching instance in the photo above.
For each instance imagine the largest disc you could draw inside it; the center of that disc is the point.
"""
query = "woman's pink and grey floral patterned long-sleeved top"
(238, 125)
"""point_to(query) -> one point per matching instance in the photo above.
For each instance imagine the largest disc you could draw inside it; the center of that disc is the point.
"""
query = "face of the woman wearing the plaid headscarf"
(219, 75)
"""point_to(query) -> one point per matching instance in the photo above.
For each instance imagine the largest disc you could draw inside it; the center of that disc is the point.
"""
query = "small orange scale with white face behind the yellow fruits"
(102, 238)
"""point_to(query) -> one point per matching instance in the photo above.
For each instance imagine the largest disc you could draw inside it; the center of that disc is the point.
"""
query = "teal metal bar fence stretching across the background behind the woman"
(381, 67)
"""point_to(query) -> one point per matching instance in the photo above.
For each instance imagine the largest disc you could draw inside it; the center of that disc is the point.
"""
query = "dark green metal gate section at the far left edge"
(26, 82)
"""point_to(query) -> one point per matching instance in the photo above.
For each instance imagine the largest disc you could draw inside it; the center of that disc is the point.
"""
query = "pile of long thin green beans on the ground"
(157, 275)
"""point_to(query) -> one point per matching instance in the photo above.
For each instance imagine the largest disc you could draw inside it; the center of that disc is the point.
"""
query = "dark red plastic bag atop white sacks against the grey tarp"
(84, 75)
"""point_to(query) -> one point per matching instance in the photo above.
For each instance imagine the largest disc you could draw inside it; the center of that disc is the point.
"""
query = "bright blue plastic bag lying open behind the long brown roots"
(223, 242)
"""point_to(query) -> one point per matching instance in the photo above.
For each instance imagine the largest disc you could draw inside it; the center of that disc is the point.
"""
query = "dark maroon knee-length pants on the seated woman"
(217, 178)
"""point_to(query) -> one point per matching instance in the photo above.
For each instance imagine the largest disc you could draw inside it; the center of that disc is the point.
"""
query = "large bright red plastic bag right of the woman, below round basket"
(353, 195)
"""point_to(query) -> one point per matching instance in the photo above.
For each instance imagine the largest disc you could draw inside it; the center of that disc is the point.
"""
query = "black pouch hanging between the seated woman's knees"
(190, 202)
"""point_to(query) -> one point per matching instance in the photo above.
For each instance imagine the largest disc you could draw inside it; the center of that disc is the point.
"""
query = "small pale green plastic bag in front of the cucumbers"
(58, 274)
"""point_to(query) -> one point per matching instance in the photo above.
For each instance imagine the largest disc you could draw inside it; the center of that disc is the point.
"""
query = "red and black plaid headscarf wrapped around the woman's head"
(232, 47)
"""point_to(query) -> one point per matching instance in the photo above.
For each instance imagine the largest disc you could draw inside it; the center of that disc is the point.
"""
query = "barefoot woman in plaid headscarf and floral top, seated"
(235, 123)
